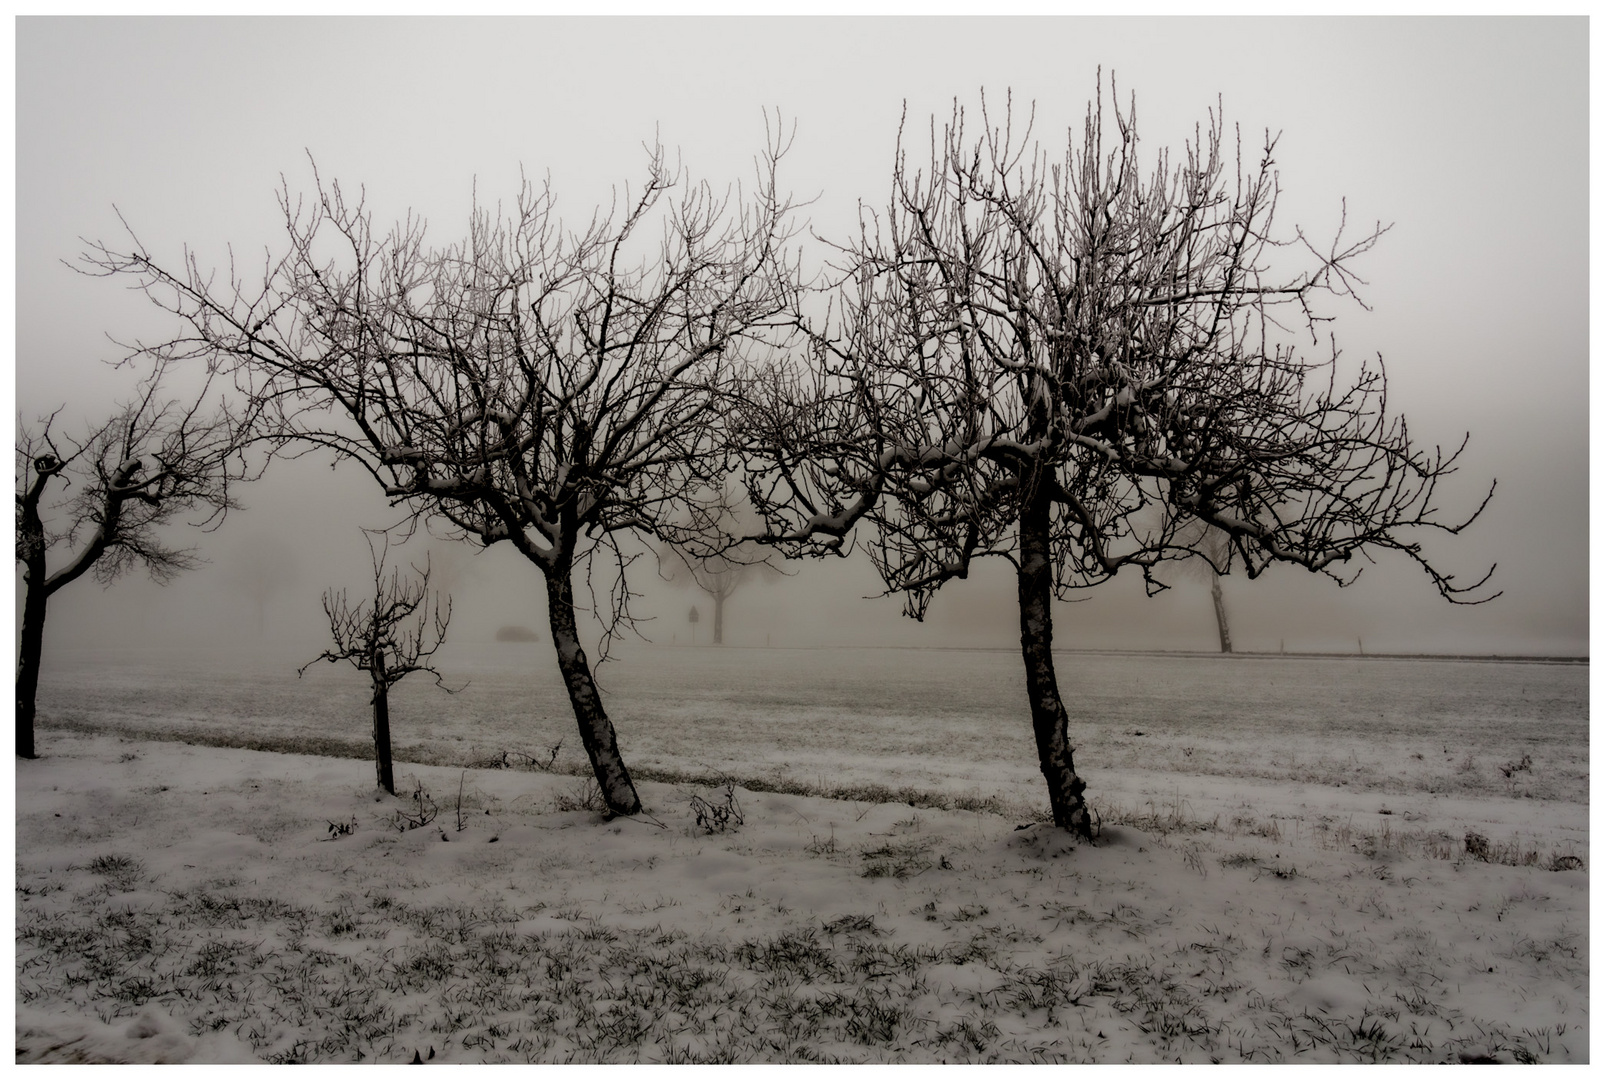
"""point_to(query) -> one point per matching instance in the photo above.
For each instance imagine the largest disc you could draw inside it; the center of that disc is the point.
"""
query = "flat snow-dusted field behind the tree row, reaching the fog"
(928, 720)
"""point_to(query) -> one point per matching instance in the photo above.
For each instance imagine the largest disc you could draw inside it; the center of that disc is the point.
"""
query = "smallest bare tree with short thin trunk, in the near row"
(389, 636)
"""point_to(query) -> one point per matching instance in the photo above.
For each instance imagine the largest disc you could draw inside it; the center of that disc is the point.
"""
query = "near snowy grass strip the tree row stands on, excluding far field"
(521, 925)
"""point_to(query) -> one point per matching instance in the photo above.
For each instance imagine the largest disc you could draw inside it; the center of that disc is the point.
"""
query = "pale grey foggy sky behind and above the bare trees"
(1471, 137)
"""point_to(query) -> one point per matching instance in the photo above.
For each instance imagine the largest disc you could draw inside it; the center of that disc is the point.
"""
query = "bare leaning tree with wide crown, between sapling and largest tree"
(532, 386)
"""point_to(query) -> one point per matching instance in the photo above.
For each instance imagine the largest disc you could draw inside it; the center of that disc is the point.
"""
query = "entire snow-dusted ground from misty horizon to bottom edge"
(1301, 861)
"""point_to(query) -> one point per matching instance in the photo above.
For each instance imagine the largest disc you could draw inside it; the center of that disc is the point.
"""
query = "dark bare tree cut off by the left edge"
(116, 485)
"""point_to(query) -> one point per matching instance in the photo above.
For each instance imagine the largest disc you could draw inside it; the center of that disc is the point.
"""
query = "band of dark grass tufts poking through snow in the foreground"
(372, 978)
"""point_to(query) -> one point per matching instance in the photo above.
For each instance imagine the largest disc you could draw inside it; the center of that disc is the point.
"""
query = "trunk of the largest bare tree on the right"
(1036, 641)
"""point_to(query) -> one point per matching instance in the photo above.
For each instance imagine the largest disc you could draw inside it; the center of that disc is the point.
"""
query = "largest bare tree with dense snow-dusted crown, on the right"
(1060, 365)
